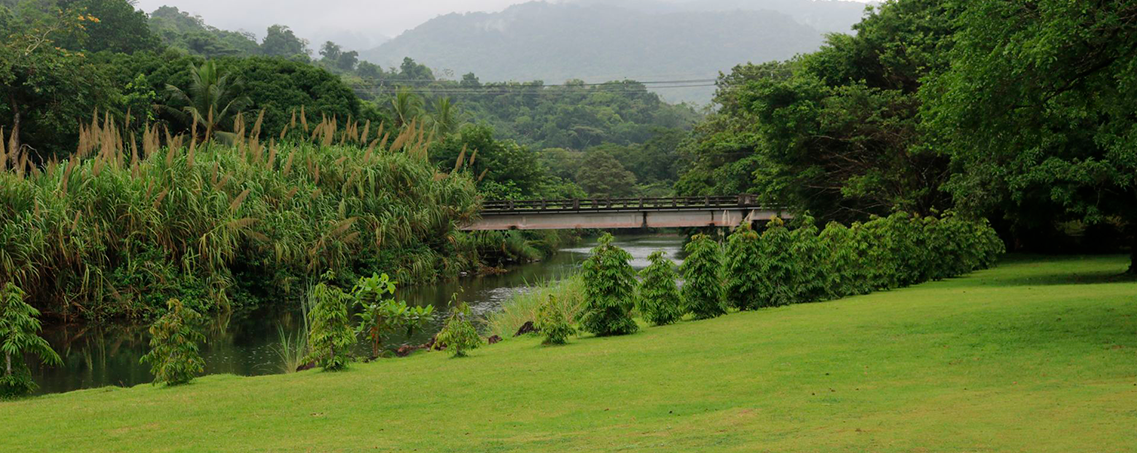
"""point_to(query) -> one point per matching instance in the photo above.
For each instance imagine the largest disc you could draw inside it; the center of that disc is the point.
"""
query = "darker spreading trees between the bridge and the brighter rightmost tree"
(834, 133)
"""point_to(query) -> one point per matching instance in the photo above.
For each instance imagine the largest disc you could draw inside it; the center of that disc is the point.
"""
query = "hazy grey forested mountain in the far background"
(600, 43)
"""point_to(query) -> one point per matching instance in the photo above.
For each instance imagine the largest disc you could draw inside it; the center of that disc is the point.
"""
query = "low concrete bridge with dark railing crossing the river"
(623, 213)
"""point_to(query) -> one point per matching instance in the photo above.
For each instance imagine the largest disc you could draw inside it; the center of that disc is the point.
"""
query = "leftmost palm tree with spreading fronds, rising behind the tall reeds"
(212, 100)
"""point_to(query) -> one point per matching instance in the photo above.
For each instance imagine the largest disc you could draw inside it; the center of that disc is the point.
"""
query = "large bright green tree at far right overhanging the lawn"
(1036, 113)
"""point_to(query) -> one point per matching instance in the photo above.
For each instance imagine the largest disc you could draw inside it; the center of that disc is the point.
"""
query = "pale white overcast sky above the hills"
(355, 24)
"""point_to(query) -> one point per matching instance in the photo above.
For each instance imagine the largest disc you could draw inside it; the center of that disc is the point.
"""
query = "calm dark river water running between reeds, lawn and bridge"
(109, 356)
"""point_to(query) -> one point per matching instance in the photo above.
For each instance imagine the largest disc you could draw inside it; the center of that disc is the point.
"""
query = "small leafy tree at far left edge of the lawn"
(20, 335)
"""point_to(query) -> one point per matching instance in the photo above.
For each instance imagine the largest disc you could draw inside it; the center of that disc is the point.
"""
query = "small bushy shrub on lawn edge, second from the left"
(175, 359)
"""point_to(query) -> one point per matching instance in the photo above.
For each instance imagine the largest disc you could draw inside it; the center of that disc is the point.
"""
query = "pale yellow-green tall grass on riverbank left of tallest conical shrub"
(522, 308)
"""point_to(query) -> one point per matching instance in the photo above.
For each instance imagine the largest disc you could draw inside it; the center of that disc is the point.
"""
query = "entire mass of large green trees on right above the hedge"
(1009, 111)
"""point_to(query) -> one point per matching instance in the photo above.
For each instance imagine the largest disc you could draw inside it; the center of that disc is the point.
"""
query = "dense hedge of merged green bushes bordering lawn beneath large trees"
(804, 265)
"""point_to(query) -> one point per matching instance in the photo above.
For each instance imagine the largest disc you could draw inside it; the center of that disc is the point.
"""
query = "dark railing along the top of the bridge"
(611, 204)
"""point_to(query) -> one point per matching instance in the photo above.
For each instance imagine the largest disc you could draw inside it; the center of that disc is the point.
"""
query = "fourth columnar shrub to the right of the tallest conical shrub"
(781, 269)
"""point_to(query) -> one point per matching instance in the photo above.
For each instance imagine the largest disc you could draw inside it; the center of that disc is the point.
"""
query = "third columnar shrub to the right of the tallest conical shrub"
(743, 269)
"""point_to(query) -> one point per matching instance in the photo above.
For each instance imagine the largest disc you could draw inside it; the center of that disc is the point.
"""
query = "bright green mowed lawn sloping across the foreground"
(1039, 355)
